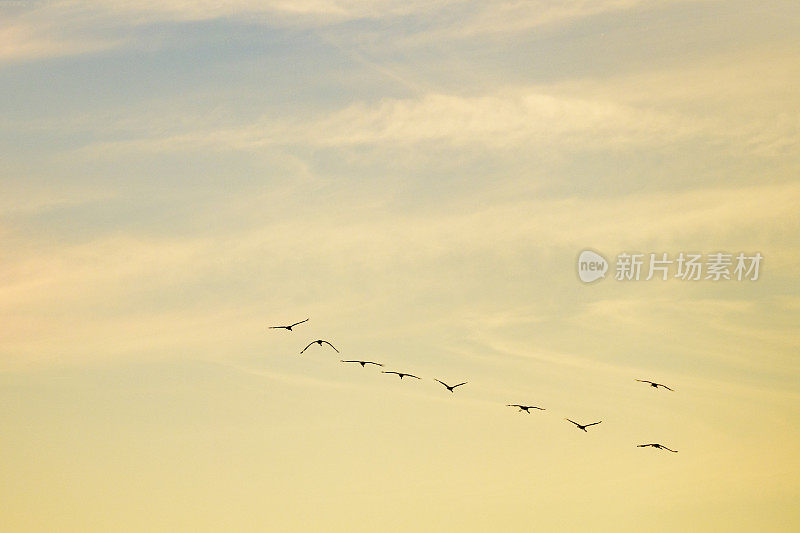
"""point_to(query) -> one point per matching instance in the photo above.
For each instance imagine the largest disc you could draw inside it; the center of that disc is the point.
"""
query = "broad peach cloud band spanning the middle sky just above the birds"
(59, 296)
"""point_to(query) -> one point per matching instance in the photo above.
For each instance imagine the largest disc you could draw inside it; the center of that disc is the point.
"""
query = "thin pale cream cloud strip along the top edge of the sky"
(70, 27)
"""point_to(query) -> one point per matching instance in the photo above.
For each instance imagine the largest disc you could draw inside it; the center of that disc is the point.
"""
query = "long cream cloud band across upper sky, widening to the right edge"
(645, 110)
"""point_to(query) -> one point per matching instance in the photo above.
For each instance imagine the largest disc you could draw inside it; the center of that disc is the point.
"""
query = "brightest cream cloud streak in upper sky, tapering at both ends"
(507, 119)
